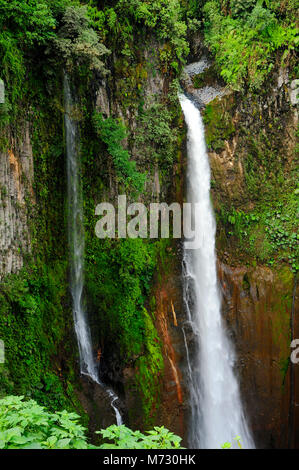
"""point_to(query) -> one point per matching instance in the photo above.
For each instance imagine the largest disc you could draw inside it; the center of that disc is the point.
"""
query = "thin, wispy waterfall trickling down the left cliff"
(76, 247)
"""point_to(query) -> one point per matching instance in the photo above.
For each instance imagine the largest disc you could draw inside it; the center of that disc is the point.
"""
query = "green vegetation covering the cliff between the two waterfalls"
(119, 273)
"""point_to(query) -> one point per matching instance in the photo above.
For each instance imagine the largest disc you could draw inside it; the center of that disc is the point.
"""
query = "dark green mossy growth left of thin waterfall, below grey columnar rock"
(34, 326)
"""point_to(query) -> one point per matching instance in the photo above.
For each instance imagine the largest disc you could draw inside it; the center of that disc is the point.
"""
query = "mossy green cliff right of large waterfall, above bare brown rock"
(260, 219)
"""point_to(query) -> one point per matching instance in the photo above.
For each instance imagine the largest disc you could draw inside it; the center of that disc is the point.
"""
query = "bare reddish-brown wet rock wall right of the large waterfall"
(258, 304)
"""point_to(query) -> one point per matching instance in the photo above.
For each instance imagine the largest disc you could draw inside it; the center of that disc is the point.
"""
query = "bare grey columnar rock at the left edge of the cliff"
(16, 184)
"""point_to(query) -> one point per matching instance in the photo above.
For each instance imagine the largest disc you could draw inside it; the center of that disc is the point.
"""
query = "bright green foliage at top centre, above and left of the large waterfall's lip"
(128, 19)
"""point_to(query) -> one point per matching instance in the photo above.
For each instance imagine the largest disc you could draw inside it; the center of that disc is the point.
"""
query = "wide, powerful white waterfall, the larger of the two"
(217, 415)
